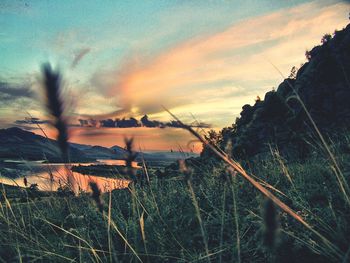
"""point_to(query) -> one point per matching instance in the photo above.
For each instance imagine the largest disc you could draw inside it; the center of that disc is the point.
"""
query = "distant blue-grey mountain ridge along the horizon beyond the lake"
(16, 143)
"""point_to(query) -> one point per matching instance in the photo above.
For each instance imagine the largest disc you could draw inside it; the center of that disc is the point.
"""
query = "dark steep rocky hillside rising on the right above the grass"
(322, 85)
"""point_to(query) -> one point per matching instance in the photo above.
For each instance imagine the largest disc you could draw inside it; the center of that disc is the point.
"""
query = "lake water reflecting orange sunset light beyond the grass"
(49, 177)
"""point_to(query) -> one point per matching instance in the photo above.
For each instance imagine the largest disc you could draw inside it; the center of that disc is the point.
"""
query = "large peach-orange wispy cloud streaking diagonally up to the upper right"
(223, 70)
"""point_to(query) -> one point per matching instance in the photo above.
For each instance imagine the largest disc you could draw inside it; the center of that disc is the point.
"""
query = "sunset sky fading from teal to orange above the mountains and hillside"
(199, 59)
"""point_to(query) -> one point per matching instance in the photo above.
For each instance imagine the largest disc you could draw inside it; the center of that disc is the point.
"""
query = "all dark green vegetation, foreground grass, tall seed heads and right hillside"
(267, 208)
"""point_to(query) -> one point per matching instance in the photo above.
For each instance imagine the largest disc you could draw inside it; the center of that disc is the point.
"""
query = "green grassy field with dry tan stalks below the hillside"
(204, 214)
